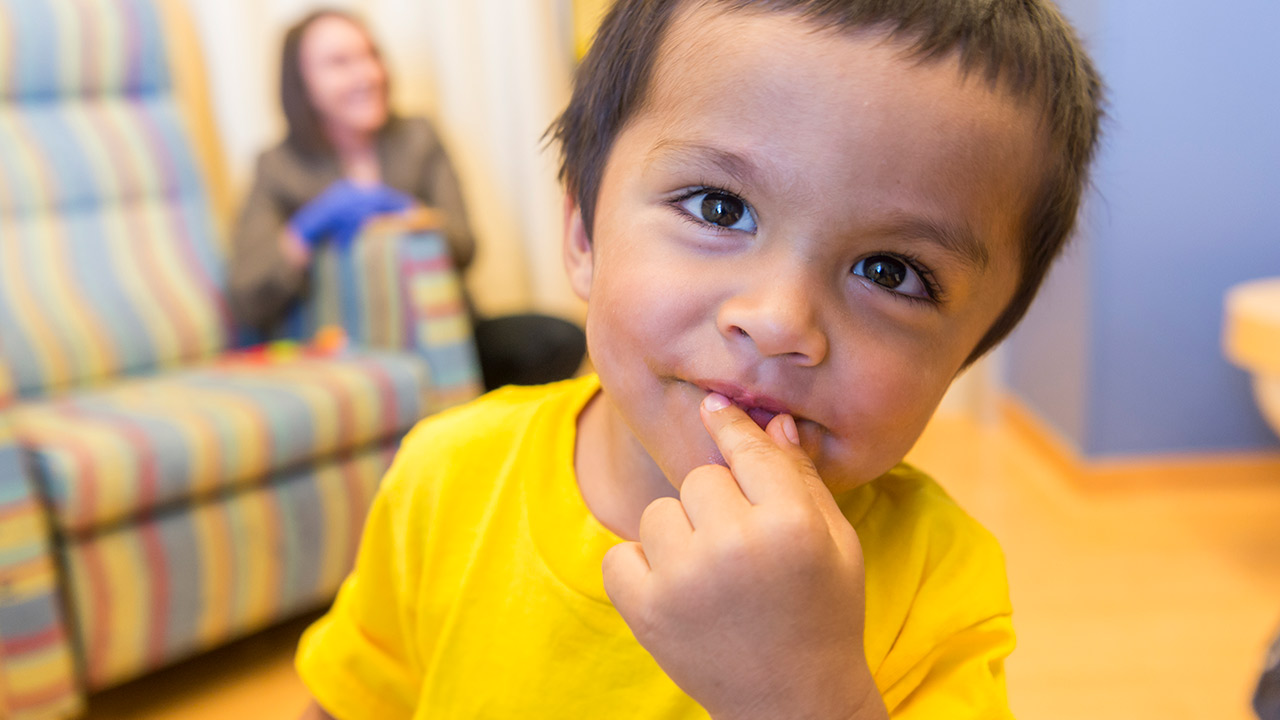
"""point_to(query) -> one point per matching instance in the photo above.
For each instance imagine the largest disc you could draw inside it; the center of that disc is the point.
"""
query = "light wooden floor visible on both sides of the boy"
(1130, 604)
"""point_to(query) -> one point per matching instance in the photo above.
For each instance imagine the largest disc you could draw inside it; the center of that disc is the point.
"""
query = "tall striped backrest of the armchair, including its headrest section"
(109, 257)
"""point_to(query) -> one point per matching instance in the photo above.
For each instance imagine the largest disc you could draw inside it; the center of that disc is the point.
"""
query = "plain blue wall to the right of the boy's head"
(1187, 204)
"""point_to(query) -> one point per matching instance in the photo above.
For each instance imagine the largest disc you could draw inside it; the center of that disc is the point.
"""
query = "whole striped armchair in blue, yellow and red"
(161, 491)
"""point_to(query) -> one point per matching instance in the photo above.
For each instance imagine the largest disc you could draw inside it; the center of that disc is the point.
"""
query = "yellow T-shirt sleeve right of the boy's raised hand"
(939, 595)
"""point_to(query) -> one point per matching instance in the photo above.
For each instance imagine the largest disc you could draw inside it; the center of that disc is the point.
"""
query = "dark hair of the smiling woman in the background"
(305, 130)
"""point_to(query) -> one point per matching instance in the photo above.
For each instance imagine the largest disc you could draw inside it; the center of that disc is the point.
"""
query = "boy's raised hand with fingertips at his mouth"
(748, 591)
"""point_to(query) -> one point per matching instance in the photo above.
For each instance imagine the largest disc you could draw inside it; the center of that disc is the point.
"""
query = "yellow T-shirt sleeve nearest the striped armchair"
(359, 660)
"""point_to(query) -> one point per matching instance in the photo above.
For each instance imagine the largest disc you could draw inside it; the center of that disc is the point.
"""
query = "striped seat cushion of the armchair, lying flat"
(115, 454)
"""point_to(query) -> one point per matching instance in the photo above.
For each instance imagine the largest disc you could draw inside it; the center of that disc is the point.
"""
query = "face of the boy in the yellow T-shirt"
(804, 222)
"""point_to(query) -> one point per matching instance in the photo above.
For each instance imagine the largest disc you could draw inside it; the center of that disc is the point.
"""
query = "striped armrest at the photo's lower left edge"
(38, 673)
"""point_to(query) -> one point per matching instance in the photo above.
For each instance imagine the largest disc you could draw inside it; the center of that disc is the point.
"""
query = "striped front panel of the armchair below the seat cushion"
(153, 593)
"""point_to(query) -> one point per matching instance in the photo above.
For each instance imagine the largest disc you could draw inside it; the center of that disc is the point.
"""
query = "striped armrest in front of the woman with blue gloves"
(396, 289)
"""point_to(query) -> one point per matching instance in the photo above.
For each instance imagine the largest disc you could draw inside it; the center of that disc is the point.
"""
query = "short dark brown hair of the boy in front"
(1023, 47)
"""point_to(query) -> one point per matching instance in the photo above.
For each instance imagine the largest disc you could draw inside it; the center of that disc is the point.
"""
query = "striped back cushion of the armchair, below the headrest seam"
(109, 262)
